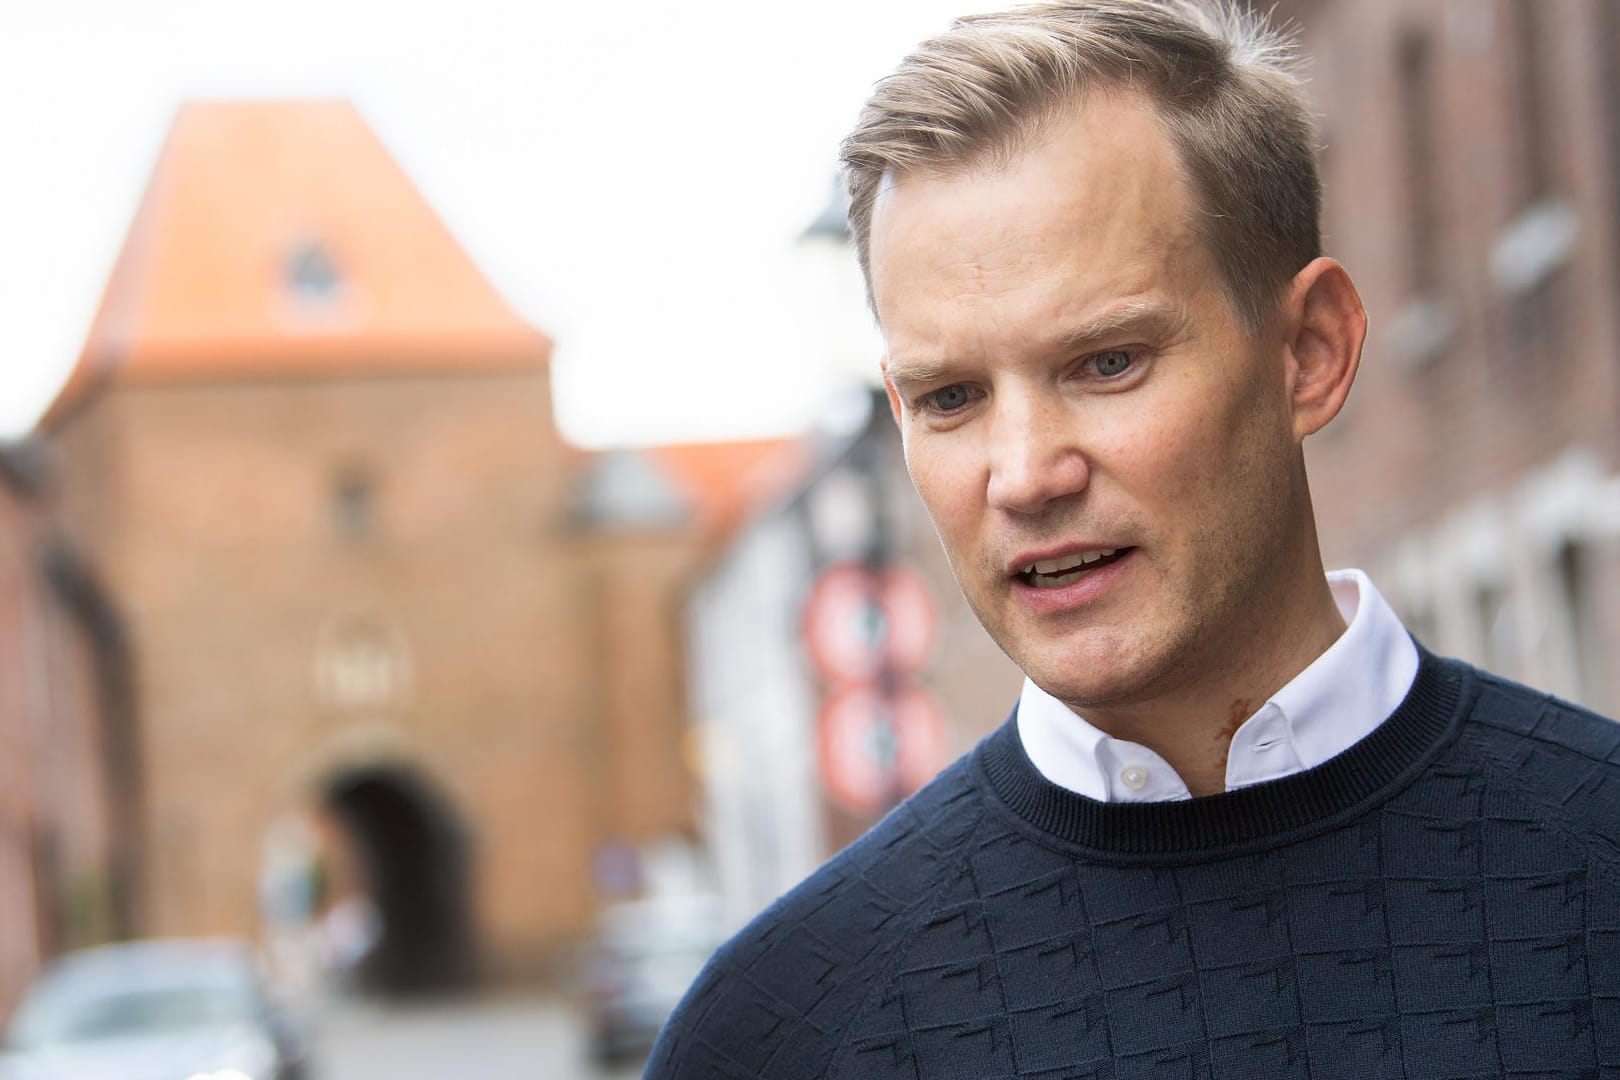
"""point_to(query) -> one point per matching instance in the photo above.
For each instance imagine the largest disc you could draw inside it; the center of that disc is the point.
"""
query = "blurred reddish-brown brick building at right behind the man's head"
(1473, 189)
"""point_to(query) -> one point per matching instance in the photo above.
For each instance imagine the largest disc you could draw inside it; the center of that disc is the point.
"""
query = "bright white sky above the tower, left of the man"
(633, 176)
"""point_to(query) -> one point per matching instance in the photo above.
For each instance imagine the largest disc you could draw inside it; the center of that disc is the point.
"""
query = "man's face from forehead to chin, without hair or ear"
(1106, 451)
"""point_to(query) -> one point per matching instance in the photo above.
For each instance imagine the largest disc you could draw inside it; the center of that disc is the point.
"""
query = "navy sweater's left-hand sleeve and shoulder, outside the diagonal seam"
(775, 1000)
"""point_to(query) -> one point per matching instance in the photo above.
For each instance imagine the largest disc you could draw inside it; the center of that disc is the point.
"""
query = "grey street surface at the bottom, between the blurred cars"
(506, 1039)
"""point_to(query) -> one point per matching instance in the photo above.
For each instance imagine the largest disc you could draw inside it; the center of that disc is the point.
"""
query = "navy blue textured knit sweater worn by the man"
(1441, 901)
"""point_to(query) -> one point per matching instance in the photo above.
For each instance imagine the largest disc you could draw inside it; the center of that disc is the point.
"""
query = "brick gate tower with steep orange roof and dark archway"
(312, 453)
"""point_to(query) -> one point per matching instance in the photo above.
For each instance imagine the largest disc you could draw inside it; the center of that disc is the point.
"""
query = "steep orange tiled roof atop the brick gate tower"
(281, 239)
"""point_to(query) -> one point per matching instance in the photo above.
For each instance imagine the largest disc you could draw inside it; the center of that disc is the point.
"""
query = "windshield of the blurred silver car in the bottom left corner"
(48, 1023)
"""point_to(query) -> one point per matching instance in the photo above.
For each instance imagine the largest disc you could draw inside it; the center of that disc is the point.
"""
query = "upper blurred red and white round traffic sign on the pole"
(859, 621)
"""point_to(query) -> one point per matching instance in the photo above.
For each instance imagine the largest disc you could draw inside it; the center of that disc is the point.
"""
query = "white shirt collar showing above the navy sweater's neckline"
(1328, 708)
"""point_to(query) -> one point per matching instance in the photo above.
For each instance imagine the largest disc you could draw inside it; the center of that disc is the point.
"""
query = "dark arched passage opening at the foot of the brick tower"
(414, 857)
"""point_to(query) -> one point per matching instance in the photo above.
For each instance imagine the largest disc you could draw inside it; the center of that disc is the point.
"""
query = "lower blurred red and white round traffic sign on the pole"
(874, 752)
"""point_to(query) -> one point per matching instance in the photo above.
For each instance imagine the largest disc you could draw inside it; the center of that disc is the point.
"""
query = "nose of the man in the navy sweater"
(1034, 457)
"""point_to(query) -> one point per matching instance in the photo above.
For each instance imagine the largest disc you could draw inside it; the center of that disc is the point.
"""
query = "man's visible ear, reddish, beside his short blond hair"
(1326, 328)
